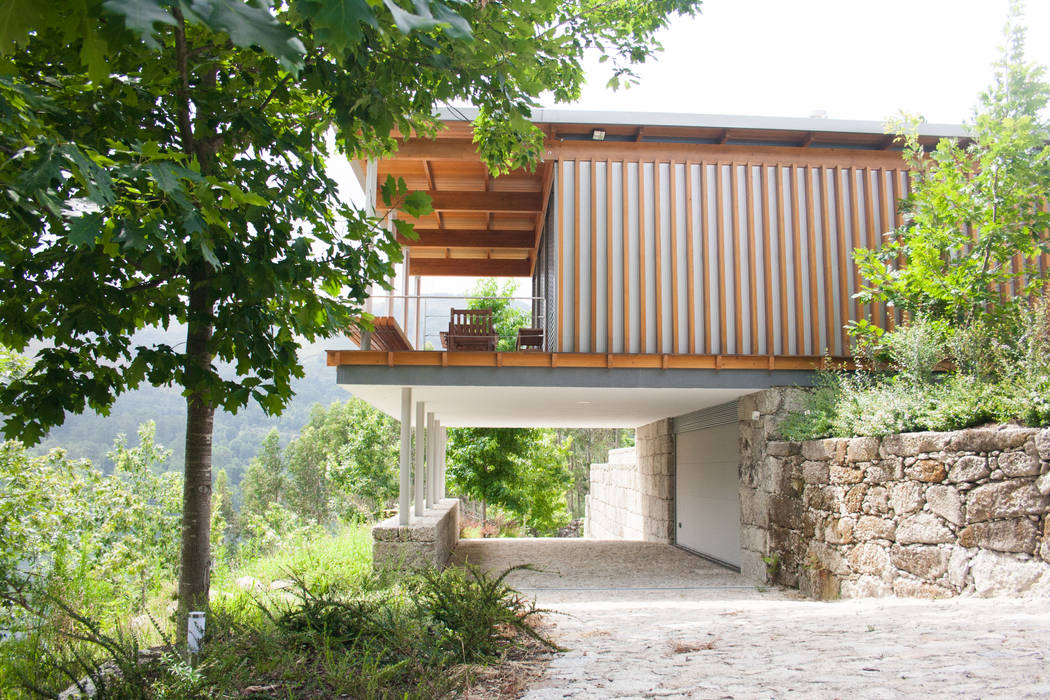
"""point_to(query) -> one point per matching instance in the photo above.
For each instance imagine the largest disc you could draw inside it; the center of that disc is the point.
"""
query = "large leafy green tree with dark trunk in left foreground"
(164, 163)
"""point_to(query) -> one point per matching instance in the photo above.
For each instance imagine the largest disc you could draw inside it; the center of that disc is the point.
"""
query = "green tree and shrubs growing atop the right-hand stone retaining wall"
(975, 346)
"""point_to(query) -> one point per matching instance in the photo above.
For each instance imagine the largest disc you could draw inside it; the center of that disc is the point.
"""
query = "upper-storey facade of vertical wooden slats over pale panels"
(766, 249)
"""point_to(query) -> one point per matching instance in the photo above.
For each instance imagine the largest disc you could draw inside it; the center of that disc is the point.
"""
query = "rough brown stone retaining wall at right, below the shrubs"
(929, 515)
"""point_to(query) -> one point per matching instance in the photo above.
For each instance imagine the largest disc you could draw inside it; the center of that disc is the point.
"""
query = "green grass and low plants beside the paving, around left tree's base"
(339, 630)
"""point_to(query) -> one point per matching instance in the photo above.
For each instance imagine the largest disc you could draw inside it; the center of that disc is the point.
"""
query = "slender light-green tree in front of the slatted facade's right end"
(974, 208)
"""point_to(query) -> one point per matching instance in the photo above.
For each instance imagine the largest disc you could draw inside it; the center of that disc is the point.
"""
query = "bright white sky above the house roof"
(853, 59)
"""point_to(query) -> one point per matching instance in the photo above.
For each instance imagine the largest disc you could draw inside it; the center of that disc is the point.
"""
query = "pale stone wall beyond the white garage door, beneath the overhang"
(632, 497)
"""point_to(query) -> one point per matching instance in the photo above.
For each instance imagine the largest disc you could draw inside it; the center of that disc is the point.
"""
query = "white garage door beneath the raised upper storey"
(707, 457)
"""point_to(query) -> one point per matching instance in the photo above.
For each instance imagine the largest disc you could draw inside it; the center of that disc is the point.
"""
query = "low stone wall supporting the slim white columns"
(428, 542)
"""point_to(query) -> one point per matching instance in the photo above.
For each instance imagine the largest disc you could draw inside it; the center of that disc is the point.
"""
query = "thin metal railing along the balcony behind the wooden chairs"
(425, 321)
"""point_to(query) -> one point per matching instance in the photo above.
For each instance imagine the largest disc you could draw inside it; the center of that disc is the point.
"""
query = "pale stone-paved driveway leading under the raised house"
(649, 621)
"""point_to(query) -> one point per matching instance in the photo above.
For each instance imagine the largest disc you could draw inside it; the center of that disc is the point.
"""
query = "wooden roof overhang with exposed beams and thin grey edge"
(491, 227)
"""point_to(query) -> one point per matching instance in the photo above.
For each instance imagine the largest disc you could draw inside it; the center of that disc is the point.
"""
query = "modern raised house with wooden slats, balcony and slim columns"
(679, 265)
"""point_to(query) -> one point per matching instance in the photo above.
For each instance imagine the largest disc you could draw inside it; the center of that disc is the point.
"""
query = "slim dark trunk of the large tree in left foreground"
(195, 572)
